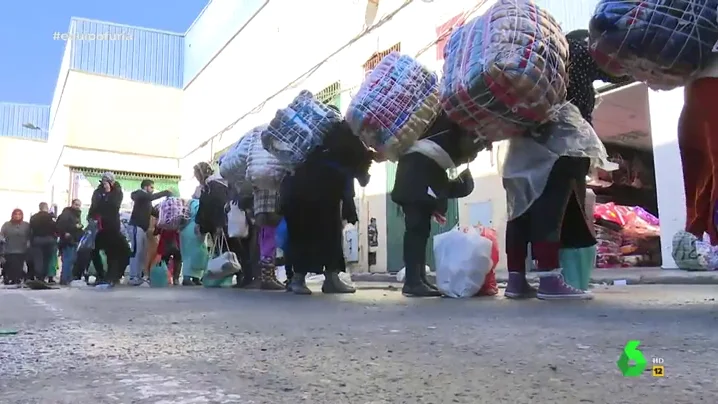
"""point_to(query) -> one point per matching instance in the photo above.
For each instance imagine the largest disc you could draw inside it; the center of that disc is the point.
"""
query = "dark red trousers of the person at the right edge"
(698, 143)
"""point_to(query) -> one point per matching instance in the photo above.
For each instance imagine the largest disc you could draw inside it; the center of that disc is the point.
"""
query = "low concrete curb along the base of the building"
(609, 277)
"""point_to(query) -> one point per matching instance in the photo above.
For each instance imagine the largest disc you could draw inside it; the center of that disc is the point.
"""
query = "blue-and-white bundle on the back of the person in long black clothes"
(296, 130)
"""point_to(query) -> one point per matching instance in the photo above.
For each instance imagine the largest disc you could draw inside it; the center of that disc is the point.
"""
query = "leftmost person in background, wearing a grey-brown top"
(16, 235)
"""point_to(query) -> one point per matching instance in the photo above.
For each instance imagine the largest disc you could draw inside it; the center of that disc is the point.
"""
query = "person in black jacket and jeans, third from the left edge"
(70, 230)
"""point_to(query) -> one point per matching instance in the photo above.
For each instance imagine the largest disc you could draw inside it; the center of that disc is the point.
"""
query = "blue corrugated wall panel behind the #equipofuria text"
(131, 53)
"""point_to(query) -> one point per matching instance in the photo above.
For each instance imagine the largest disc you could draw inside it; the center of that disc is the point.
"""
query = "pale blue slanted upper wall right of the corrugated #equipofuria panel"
(219, 22)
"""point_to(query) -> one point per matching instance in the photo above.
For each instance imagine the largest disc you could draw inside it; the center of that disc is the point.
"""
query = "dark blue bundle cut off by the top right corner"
(661, 42)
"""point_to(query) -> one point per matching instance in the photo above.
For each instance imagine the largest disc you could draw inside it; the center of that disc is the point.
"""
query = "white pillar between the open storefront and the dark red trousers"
(665, 109)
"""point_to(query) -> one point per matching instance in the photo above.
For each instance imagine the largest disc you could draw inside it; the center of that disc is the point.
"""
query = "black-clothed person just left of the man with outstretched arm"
(105, 208)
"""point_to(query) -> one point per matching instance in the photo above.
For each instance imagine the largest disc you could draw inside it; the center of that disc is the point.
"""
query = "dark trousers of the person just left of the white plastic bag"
(417, 223)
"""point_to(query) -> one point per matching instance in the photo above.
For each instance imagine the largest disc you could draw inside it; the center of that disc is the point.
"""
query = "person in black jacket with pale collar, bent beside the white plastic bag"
(422, 188)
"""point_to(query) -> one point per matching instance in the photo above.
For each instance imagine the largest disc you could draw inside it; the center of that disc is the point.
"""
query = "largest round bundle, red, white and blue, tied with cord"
(505, 71)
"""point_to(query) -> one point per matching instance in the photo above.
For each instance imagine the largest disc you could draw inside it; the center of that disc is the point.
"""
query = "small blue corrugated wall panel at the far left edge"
(14, 116)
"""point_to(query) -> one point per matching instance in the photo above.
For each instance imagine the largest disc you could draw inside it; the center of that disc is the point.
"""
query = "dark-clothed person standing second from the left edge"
(43, 242)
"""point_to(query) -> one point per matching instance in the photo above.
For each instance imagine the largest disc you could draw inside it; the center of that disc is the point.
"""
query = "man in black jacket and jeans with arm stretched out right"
(139, 224)
